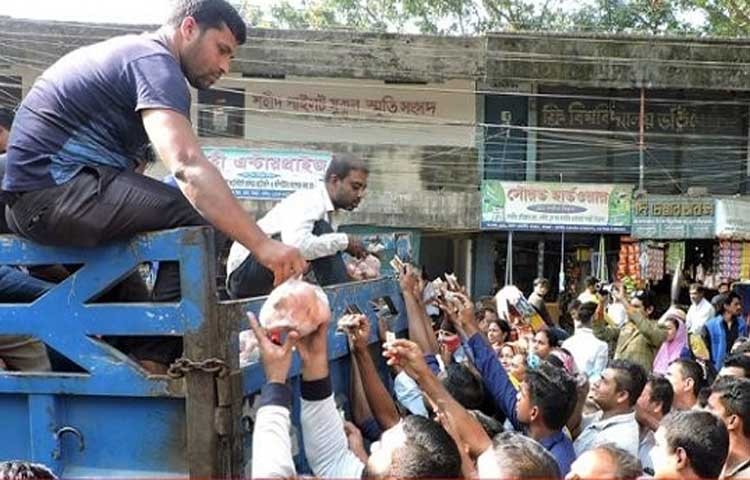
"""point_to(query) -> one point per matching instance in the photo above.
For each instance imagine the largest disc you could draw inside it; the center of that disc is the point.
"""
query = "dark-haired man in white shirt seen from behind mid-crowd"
(590, 353)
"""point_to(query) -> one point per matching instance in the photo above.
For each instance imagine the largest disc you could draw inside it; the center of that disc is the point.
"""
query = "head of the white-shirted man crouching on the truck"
(346, 181)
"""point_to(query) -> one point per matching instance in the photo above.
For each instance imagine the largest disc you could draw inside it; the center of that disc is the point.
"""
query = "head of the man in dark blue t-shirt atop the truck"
(208, 33)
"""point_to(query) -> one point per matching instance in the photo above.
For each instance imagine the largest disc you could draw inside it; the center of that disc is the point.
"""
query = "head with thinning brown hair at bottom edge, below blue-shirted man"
(520, 457)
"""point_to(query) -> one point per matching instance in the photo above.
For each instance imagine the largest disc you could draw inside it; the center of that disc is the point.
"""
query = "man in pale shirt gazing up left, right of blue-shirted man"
(616, 393)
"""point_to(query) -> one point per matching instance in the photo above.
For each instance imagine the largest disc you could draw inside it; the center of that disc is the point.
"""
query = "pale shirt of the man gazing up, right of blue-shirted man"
(621, 430)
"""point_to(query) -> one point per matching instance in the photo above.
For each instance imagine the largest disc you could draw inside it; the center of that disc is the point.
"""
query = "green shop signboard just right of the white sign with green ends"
(664, 217)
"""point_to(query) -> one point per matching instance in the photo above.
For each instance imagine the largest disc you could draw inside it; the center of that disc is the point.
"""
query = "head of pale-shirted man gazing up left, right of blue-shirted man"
(619, 386)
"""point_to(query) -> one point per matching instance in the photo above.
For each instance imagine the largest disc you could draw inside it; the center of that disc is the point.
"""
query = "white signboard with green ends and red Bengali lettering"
(556, 207)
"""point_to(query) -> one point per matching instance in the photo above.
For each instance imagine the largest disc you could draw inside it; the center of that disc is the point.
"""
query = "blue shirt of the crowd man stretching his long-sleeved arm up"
(496, 381)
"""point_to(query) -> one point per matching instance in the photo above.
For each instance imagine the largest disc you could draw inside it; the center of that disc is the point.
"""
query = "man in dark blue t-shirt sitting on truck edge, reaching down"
(81, 130)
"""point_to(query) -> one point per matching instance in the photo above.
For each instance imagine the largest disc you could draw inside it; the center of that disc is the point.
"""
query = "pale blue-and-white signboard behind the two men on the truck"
(268, 174)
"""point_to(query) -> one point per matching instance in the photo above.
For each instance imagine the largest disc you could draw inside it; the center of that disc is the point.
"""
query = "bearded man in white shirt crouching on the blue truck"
(303, 220)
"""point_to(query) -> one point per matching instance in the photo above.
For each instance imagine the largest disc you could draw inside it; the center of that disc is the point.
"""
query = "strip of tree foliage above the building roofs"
(471, 17)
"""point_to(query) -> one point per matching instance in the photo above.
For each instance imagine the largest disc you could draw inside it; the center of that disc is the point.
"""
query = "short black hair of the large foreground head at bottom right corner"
(703, 437)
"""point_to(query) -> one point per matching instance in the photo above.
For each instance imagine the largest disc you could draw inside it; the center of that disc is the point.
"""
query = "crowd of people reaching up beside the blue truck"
(476, 393)
